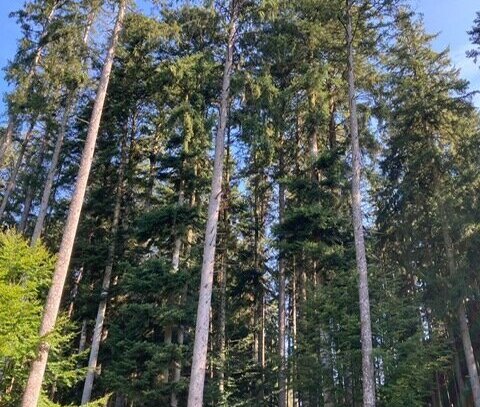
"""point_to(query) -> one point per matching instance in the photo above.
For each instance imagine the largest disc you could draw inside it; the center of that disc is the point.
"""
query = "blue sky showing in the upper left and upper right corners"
(450, 18)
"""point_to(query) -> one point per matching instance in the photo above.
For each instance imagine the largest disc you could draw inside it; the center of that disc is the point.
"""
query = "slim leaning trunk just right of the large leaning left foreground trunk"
(107, 278)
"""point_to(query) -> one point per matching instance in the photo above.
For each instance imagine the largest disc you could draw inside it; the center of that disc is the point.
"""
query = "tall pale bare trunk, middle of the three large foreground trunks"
(197, 377)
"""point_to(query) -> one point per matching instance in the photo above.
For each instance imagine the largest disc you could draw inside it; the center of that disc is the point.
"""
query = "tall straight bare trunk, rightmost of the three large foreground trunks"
(364, 300)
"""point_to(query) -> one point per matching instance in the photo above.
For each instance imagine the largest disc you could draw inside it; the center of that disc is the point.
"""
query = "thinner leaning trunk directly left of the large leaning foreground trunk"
(69, 105)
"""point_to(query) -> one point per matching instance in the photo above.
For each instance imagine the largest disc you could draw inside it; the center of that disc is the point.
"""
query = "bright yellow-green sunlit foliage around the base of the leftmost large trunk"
(25, 273)
